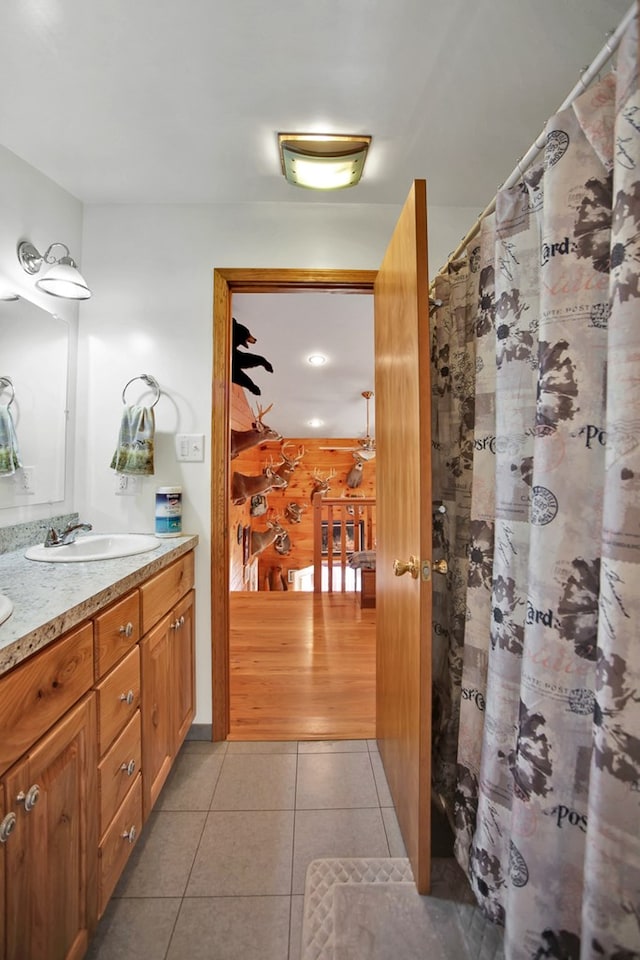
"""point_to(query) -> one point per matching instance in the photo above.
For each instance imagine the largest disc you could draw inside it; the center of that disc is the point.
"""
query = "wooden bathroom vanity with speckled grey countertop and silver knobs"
(96, 697)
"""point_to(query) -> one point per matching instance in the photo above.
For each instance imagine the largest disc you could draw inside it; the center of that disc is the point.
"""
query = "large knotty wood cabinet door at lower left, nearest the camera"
(51, 856)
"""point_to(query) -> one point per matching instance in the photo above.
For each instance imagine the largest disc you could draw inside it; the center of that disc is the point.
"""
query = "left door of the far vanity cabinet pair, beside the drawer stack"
(157, 711)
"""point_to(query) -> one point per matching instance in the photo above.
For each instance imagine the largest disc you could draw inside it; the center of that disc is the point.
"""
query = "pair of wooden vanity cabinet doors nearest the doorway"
(167, 656)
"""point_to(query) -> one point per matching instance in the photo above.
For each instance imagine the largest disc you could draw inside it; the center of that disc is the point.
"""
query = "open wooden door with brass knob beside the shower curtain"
(403, 436)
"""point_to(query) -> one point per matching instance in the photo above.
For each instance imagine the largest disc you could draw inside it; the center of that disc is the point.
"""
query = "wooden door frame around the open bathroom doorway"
(226, 282)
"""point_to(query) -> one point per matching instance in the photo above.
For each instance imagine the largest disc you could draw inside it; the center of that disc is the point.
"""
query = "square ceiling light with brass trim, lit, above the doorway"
(322, 161)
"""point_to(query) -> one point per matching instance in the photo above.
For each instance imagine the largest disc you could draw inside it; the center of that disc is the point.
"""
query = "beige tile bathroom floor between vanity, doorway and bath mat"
(219, 871)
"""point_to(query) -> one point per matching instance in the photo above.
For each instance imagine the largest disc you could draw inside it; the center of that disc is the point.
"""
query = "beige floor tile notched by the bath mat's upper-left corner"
(321, 834)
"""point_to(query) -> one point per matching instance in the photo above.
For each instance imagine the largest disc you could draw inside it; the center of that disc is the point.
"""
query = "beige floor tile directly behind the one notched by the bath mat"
(332, 780)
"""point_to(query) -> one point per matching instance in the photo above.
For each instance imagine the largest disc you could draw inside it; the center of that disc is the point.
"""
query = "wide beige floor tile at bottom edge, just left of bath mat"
(232, 928)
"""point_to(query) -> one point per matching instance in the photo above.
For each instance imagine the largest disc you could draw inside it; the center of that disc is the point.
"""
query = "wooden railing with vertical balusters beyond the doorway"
(341, 526)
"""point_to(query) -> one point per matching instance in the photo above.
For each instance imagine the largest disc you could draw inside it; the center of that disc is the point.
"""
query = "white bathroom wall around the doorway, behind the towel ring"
(150, 269)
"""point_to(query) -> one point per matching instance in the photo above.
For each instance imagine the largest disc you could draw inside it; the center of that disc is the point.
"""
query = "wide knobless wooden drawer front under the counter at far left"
(36, 694)
